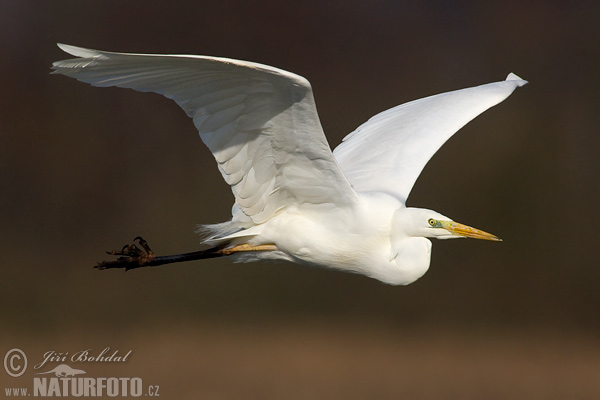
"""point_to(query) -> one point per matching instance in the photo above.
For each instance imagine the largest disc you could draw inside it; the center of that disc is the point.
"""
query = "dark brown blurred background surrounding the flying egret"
(85, 169)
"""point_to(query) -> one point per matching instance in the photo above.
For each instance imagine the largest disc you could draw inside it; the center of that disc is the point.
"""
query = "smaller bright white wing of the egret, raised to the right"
(388, 152)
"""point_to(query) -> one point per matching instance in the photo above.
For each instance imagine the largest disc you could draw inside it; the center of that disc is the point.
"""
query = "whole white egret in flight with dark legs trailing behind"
(295, 199)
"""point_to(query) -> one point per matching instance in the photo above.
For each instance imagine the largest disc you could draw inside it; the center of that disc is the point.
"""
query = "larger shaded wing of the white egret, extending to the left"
(259, 122)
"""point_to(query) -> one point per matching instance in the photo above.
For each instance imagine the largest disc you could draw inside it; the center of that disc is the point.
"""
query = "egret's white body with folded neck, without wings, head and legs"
(358, 239)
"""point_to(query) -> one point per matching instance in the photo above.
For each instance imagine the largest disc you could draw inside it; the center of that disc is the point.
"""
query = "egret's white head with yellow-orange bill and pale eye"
(428, 223)
